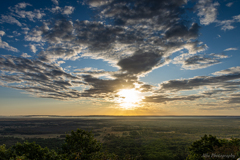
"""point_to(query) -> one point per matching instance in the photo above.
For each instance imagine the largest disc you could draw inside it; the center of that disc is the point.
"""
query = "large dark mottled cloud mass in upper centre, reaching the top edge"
(155, 31)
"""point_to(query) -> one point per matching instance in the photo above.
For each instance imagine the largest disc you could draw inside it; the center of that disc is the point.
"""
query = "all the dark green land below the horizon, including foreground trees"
(120, 138)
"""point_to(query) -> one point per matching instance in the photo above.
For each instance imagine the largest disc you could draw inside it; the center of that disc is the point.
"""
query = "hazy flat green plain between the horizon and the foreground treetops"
(132, 135)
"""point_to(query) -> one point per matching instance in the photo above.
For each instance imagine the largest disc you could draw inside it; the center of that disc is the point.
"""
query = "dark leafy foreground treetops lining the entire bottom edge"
(82, 145)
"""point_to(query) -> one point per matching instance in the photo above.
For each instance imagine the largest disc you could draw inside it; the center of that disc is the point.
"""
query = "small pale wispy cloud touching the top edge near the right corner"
(207, 11)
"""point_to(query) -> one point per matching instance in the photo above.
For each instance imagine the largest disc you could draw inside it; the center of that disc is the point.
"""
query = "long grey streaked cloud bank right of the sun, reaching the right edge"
(223, 88)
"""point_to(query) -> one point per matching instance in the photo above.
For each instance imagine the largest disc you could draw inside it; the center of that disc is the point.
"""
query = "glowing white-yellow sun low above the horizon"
(129, 98)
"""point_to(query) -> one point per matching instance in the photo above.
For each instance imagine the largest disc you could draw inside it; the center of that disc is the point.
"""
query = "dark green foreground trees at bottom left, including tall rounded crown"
(78, 145)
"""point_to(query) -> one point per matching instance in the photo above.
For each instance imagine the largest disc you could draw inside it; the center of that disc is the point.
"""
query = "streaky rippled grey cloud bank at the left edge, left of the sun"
(38, 78)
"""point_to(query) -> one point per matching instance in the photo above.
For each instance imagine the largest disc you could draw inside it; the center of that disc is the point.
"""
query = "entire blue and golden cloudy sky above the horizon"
(120, 57)
